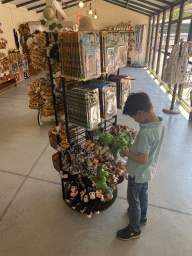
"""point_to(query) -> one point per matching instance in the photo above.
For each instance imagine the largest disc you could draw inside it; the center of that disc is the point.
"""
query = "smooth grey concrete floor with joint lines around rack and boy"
(35, 221)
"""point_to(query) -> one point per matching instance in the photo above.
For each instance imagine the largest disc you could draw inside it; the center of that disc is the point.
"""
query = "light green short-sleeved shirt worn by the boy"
(148, 141)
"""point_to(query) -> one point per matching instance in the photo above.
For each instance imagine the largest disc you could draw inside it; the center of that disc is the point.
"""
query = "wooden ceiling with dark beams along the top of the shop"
(145, 7)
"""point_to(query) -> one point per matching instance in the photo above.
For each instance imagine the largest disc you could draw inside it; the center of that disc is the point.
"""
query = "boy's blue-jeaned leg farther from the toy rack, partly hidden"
(144, 200)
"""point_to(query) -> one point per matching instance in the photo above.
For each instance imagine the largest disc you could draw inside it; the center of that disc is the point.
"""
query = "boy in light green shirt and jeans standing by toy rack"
(142, 160)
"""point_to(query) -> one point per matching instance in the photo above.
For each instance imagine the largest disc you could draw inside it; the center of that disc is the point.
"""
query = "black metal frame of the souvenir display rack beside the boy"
(81, 134)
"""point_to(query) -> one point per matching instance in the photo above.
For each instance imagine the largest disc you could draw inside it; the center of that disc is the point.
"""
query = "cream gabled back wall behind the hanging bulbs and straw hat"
(110, 14)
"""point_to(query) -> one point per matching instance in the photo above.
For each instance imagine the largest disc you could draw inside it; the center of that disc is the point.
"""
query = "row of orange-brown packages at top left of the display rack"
(80, 53)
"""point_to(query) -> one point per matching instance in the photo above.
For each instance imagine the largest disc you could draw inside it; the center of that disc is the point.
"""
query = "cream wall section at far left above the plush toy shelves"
(10, 18)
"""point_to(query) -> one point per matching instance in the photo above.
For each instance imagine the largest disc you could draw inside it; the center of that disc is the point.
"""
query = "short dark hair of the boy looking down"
(137, 101)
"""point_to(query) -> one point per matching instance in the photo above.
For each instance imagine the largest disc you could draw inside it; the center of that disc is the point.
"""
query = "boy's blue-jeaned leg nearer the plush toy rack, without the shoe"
(133, 199)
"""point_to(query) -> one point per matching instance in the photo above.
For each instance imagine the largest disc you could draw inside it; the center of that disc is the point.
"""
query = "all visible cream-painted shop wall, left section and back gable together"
(109, 14)
